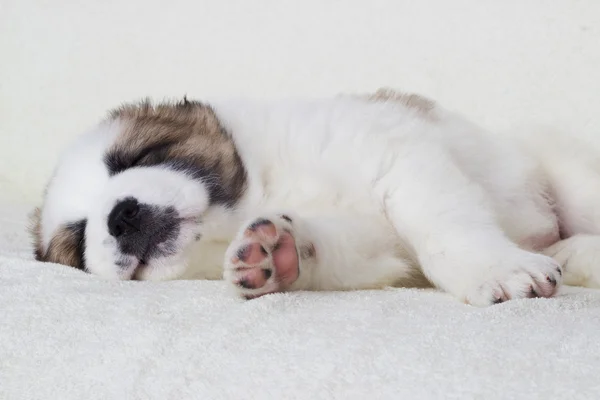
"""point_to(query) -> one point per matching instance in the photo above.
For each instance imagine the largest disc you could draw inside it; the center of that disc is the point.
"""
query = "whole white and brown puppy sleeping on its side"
(350, 192)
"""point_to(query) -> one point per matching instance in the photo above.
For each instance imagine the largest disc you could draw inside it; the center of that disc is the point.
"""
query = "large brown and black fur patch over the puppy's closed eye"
(188, 132)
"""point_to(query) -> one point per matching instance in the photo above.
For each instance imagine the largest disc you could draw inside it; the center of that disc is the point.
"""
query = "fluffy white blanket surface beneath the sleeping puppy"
(67, 335)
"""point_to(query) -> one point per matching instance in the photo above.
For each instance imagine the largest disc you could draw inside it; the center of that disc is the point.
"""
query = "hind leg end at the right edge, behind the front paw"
(579, 257)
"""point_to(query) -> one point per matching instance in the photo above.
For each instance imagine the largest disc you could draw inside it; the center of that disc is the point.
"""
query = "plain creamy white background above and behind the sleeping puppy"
(63, 64)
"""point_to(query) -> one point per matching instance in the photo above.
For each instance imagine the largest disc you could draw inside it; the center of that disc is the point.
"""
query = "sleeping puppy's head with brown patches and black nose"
(128, 198)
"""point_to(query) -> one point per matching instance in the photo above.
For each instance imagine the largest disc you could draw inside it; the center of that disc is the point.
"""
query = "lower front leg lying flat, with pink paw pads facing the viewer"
(318, 252)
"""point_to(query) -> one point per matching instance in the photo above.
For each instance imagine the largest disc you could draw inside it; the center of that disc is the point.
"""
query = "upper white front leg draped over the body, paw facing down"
(449, 220)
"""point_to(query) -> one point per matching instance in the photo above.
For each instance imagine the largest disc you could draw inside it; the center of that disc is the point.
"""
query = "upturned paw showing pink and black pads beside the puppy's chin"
(263, 258)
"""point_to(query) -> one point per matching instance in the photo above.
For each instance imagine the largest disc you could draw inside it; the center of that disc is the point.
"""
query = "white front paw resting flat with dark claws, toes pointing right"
(525, 276)
